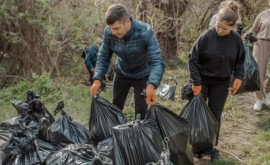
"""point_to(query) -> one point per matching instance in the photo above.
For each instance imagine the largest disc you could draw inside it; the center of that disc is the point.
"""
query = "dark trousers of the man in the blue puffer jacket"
(121, 87)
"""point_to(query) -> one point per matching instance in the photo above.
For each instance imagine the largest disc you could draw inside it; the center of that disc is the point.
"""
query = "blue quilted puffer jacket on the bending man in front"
(138, 54)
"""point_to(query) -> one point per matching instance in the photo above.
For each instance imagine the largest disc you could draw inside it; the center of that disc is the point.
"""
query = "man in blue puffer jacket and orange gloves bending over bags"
(139, 62)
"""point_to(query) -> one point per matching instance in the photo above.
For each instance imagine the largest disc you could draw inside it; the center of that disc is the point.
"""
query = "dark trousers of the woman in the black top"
(216, 92)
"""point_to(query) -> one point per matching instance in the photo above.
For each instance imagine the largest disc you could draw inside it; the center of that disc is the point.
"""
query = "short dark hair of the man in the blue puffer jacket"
(116, 12)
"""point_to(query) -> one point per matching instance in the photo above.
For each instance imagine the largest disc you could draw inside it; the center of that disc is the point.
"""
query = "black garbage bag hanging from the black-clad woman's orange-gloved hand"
(203, 124)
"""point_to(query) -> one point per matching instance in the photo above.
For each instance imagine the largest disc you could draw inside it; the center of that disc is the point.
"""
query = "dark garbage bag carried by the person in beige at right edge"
(251, 79)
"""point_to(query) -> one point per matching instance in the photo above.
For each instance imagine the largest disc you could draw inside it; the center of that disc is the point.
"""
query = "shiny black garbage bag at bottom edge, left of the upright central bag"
(78, 154)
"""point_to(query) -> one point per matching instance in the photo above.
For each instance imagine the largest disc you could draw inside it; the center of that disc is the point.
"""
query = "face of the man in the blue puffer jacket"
(120, 29)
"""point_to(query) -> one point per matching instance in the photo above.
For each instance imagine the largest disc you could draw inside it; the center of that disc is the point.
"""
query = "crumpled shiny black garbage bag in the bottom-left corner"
(24, 149)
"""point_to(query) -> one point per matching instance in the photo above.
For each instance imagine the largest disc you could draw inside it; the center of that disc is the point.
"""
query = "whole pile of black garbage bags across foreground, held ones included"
(162, 138)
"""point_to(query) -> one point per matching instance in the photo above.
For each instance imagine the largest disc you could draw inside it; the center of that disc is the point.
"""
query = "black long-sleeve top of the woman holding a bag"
(216, 56)
